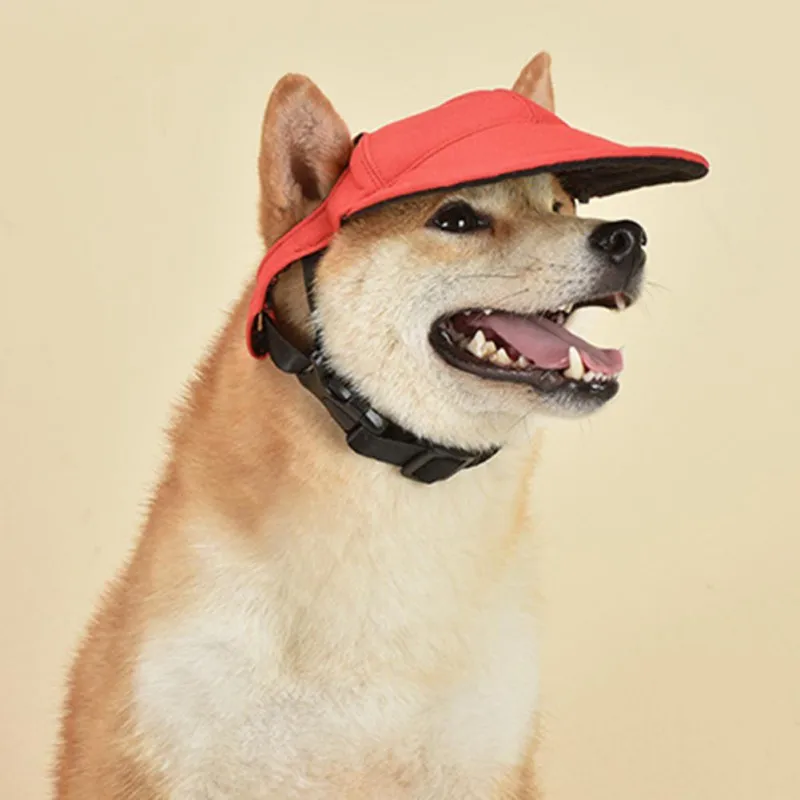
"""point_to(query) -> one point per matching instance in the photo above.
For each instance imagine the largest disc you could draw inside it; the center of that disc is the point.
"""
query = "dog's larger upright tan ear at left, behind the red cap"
(305, 146)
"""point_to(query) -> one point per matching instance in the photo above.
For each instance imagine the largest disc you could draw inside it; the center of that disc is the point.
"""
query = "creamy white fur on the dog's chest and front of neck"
(241, 699)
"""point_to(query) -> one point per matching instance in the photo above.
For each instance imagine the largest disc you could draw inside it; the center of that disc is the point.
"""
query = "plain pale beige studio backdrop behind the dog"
(670, 526)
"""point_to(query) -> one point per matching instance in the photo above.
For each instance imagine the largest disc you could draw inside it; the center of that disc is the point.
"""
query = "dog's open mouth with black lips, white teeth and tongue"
(538, 350)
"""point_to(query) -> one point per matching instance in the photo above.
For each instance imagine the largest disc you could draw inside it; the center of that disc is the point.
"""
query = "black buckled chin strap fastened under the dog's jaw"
(368, 432)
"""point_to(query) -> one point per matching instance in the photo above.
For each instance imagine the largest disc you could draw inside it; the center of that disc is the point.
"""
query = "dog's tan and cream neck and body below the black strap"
(302, 621)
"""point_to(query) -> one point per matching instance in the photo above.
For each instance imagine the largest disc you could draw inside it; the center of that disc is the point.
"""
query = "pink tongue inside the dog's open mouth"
(546, 344)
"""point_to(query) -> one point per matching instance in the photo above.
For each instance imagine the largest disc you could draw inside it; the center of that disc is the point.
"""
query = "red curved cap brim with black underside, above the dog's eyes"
(588, 166)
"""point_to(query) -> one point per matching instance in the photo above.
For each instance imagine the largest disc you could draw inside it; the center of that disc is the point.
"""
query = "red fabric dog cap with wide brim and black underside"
(475, 138)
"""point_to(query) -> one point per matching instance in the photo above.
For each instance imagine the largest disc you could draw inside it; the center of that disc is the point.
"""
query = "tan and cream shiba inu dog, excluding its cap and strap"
(299, 620)
